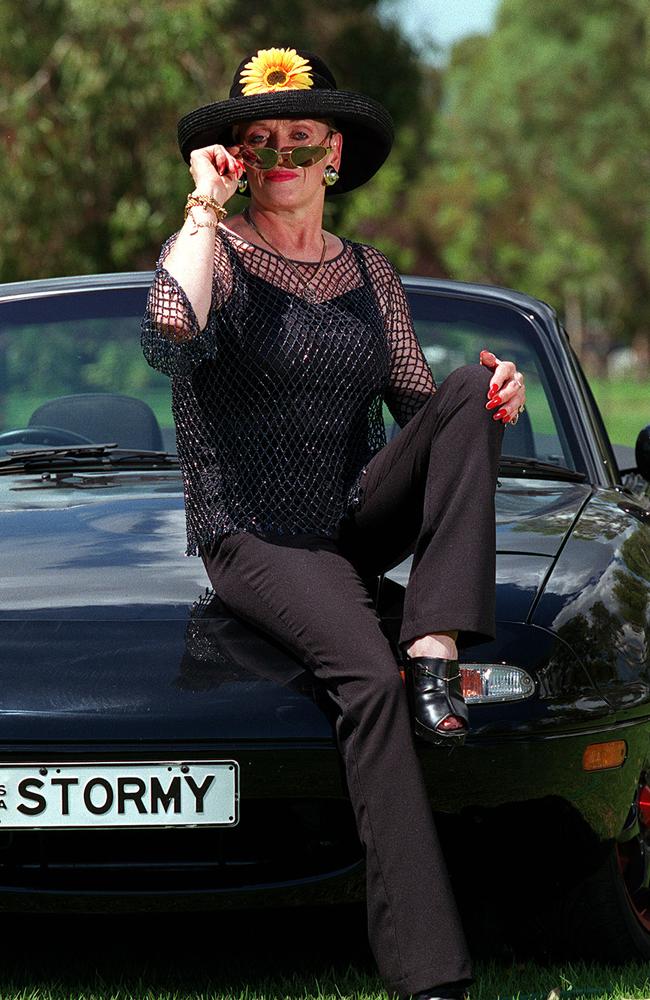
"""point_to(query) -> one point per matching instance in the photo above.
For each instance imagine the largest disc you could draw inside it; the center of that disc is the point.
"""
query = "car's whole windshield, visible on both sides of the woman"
(72, 371)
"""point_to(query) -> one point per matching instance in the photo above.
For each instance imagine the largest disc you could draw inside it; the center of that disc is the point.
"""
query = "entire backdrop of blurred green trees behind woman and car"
(524, 162)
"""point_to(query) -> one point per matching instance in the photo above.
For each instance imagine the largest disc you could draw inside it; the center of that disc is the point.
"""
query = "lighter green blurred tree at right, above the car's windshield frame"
(540, 176)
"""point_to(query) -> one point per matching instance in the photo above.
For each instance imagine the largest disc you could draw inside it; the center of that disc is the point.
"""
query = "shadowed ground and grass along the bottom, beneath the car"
(290, 955)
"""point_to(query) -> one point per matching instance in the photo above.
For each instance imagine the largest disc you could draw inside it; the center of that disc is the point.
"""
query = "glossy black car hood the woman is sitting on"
(97, 600)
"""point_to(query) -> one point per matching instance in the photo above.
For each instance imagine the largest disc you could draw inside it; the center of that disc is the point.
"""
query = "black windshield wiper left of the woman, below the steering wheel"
(83, 456)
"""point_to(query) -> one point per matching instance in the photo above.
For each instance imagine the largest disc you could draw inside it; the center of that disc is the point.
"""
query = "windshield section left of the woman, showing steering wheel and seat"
(72, 372)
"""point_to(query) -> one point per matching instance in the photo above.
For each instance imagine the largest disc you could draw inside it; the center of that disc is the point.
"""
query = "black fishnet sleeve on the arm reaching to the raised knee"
(411, 382)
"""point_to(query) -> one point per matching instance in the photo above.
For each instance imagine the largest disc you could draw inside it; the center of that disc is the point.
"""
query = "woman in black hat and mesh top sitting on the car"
(283, 340)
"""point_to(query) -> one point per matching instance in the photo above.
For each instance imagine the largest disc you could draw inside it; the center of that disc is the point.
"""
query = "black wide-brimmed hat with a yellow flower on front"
(298, 91)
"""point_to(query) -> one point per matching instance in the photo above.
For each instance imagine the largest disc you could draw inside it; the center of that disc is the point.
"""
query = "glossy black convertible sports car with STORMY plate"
(156, 752)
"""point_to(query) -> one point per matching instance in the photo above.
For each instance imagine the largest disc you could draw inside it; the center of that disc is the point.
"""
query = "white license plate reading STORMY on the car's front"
(152, 793)
